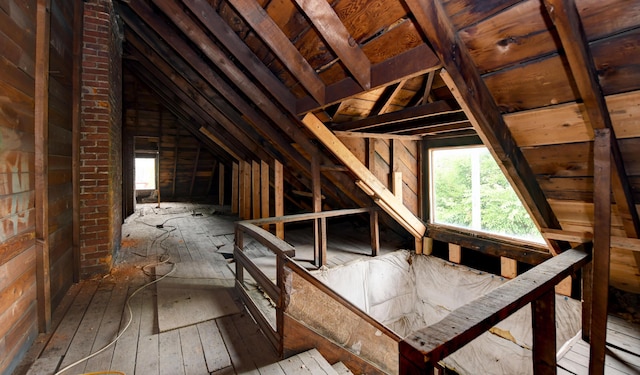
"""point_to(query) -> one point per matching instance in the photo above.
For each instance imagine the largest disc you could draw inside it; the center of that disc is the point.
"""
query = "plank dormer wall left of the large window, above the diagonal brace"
(384, 156)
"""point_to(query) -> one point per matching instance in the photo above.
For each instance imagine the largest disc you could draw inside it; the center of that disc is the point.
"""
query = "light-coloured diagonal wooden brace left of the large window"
(372, 186)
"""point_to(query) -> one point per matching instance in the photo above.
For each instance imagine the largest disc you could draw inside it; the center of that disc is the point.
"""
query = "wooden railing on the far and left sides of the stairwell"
(283, 254)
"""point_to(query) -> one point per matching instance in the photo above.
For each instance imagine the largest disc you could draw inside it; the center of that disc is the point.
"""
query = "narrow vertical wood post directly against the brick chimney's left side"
(78, 17)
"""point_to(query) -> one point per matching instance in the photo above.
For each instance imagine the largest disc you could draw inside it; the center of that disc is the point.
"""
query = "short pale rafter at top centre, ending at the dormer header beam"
(333, 31)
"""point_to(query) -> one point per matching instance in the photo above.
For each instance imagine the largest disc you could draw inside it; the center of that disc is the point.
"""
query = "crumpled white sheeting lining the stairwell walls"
(407, 292)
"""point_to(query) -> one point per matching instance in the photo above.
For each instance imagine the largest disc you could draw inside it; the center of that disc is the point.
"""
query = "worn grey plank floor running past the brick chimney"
(93, 312)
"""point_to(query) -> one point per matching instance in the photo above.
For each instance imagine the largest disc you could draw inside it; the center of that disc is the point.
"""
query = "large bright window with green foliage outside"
(468, 190)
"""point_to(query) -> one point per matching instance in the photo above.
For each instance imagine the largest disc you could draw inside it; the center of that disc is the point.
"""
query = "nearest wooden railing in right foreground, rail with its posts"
(421, 350)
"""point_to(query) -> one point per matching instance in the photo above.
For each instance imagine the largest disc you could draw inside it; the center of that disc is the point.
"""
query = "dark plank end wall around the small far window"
(187, 170)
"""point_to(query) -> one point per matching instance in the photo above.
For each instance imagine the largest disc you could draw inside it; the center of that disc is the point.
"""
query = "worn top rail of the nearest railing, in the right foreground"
(431, 344)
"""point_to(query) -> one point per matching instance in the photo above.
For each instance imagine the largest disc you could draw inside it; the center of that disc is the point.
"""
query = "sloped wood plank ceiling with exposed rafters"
(534, 79)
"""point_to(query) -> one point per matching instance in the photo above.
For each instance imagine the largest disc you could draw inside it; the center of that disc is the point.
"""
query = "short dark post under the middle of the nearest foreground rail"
(543, 320)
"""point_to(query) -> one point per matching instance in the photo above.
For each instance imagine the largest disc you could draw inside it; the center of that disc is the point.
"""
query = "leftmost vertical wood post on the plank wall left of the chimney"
(41, 117)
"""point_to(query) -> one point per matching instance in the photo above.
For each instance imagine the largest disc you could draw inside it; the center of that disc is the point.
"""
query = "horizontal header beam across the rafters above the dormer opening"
(409, 64)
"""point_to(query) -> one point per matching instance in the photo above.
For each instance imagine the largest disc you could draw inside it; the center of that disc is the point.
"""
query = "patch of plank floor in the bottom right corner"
(623, 351)
